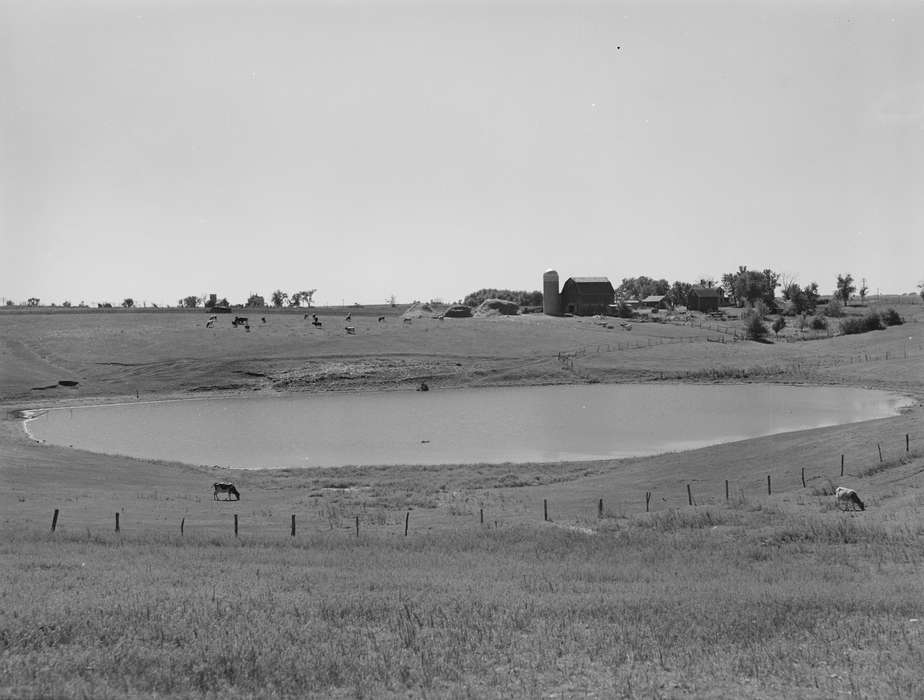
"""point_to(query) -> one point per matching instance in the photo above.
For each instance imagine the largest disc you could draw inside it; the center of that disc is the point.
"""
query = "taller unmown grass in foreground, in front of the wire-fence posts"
(745, 601)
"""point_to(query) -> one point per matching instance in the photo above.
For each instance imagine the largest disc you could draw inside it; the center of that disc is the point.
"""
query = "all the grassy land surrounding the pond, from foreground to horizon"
(759, 595)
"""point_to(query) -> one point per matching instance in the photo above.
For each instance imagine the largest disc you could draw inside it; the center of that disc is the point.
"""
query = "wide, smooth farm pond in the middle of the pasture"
(458, 426)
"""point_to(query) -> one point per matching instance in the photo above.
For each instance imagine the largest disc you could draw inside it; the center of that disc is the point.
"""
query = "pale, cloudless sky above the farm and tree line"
(156, 149)
